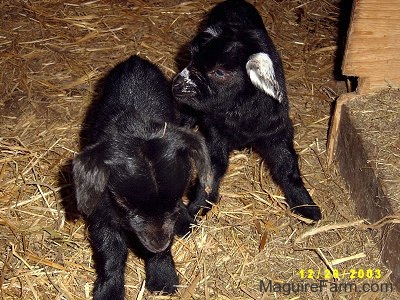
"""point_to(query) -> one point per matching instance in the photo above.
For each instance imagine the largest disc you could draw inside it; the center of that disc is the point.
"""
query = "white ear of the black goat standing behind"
(260, 69)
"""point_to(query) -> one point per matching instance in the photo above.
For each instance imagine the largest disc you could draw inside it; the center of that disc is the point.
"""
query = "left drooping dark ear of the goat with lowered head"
(90, 178)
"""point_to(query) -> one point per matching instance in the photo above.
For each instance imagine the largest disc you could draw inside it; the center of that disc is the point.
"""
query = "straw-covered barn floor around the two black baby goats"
(53, 53)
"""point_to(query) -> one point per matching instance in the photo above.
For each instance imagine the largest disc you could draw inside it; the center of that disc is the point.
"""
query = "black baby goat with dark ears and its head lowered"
(131, 175)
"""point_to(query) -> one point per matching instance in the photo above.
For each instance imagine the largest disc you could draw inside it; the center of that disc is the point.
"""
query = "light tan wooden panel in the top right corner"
(373, 45)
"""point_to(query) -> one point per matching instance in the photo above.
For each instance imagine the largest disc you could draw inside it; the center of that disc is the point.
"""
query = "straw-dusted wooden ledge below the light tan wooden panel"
(367, 158)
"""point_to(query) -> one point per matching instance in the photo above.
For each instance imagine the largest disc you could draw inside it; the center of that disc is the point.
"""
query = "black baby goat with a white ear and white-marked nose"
(234, 110)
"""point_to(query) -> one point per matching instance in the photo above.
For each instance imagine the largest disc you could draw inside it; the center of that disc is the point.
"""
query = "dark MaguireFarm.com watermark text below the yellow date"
(335, 287)
